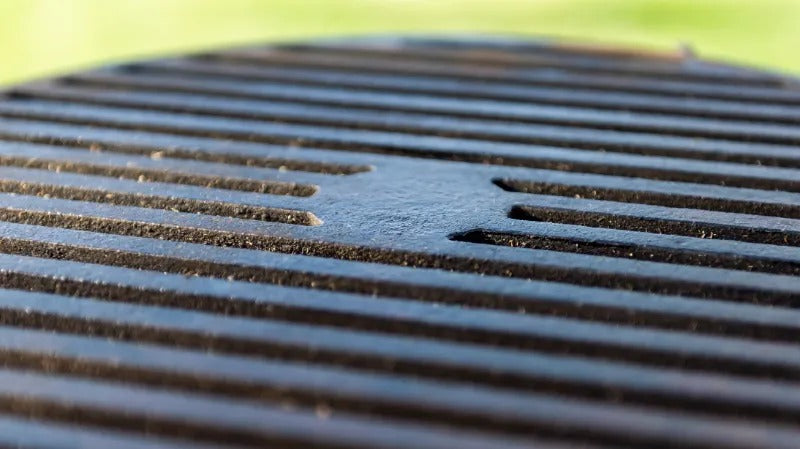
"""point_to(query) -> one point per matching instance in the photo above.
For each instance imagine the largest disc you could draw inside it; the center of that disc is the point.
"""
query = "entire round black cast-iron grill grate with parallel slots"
(402, 243)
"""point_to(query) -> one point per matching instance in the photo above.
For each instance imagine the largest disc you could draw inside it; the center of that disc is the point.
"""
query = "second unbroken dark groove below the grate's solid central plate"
(406, 290)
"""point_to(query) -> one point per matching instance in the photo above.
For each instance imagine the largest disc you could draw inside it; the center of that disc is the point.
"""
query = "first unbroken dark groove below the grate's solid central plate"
(403, 258)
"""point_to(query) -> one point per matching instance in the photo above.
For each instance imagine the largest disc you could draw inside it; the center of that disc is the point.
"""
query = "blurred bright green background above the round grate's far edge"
(44, 37)
